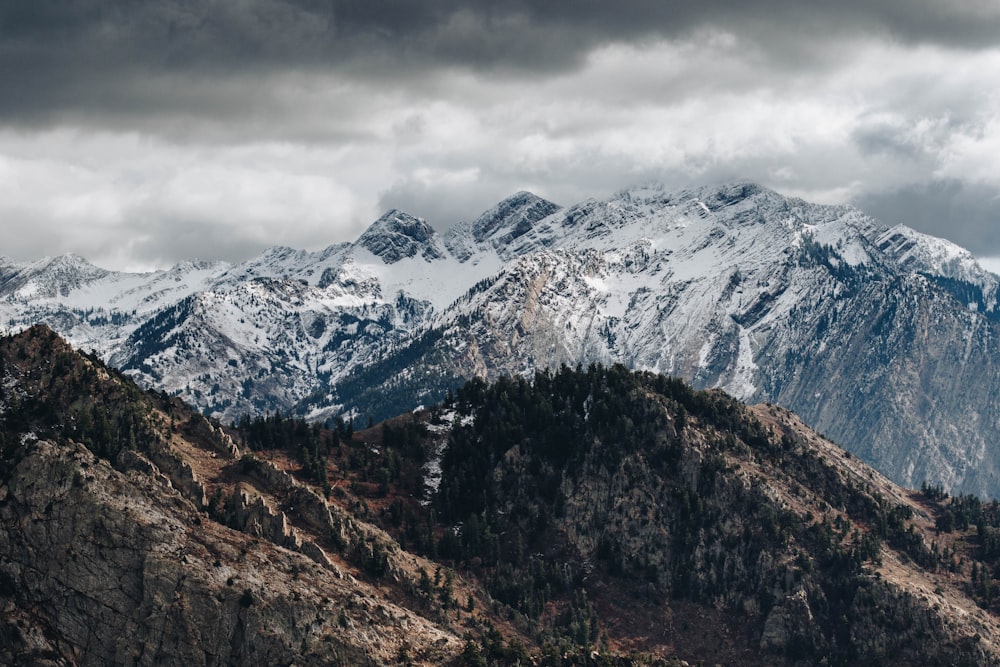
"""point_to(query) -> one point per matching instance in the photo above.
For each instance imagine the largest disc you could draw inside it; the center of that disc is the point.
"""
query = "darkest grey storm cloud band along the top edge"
(97, 56)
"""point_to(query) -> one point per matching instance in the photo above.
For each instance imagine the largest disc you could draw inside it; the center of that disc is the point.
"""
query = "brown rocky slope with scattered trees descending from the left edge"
(110, 555)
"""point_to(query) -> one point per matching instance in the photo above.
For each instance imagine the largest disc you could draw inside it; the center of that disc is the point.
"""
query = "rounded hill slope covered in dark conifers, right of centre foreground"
(661, 502)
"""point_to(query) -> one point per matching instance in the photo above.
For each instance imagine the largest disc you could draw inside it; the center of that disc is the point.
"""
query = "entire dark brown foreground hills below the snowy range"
(589, 516)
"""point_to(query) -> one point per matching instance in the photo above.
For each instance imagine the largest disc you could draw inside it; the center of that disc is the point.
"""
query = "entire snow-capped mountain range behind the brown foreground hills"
(885, 339)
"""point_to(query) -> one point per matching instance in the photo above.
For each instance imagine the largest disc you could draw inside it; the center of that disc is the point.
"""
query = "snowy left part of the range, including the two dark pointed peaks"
(263, 333)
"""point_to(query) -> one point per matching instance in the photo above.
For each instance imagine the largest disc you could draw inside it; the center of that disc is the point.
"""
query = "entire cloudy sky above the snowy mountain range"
(140, 133)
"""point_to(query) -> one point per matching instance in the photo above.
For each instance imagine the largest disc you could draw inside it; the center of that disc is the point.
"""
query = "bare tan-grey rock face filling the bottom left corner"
(102, 567)
